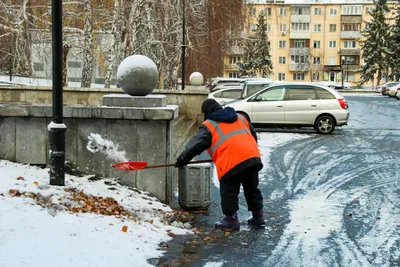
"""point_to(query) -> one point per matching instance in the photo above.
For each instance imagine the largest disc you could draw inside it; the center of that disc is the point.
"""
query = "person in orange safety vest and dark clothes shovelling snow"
(231, 142)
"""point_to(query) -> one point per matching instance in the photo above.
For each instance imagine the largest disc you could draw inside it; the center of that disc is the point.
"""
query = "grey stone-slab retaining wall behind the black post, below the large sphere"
(146, 134)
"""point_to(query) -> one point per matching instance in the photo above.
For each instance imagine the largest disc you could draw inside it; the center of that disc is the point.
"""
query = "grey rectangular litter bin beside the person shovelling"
(195, 186)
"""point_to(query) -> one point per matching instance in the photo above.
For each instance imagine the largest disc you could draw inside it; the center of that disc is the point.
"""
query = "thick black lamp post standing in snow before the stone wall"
(57, 128)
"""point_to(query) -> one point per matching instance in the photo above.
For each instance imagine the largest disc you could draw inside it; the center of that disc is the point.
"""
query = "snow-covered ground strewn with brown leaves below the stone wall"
(85, 223)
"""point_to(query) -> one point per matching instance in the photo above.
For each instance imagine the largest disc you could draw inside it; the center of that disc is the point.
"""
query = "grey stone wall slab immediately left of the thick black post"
(31, 140)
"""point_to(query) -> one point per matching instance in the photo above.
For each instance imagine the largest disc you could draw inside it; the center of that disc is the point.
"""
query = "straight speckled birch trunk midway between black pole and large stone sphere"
(87, 71)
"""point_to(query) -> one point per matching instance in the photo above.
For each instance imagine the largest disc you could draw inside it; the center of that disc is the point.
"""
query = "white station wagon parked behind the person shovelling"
(294, 105)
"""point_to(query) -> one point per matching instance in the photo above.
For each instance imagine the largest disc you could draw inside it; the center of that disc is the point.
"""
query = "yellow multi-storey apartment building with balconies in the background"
(310, 40)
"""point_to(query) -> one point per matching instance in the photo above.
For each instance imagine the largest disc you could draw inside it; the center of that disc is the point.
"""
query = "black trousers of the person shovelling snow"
(230, 189)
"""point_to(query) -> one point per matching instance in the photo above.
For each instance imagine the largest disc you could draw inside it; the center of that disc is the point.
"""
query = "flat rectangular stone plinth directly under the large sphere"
(125, 100)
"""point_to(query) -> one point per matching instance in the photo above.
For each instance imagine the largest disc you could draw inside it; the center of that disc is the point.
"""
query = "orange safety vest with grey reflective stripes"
(232, 144)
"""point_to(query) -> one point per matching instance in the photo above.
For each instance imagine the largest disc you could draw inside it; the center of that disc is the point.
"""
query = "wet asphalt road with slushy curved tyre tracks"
(329, 200)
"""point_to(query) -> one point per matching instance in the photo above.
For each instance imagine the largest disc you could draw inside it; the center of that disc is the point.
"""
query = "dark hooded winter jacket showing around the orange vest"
(202, 141)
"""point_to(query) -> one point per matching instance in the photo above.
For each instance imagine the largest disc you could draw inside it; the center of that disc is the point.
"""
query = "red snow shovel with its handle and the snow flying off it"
(98, 144)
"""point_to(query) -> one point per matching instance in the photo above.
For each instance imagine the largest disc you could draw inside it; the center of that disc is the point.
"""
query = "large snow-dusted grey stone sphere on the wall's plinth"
(137, 75)
